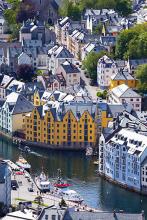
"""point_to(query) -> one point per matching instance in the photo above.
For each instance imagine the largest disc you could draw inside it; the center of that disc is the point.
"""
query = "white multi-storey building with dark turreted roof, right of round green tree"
(106, 67)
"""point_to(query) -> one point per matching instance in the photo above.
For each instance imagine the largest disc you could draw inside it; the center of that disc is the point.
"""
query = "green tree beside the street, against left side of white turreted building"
(90, 63)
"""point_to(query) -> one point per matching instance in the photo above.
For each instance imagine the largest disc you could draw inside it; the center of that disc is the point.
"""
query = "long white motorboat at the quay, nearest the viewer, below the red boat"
(70, 195)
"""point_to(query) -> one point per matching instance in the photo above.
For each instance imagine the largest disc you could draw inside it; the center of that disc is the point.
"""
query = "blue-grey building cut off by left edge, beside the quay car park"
(5, 184)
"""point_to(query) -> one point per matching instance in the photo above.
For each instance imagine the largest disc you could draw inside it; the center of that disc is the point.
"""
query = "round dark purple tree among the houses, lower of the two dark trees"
(25, 72)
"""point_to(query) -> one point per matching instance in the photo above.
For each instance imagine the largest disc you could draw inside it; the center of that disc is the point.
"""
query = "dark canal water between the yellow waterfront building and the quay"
(81, 173)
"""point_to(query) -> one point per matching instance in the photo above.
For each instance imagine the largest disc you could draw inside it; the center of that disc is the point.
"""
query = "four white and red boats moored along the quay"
(58, 187)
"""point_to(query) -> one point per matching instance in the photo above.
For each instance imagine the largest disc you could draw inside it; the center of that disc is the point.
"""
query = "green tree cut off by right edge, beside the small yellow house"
(141, 75)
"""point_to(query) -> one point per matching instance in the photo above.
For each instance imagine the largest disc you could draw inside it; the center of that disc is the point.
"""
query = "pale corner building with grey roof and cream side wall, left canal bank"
(13, 111)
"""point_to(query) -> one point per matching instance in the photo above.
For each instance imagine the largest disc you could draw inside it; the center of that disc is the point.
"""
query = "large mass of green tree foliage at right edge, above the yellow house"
(132, 43)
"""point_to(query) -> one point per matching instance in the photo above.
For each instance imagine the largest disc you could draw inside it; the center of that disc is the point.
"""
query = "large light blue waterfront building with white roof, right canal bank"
(121, 157)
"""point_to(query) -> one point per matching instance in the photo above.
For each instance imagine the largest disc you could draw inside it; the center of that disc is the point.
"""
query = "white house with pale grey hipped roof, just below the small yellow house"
(124, 94)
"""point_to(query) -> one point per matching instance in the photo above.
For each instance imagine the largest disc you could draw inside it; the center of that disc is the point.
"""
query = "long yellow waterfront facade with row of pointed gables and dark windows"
(67, 130)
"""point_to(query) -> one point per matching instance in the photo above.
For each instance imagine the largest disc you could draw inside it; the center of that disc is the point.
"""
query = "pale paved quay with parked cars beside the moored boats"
(22, 193)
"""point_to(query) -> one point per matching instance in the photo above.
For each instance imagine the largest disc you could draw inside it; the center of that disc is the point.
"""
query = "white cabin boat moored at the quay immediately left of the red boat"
(43, 183)
